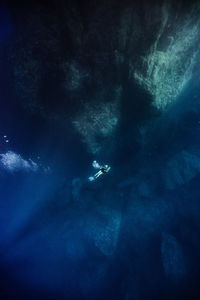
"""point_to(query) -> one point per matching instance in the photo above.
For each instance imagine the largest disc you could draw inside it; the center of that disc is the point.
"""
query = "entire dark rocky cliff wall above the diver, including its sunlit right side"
(82, 63)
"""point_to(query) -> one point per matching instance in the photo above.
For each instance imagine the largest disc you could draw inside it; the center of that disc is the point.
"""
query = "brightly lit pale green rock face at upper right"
(170, 62)
